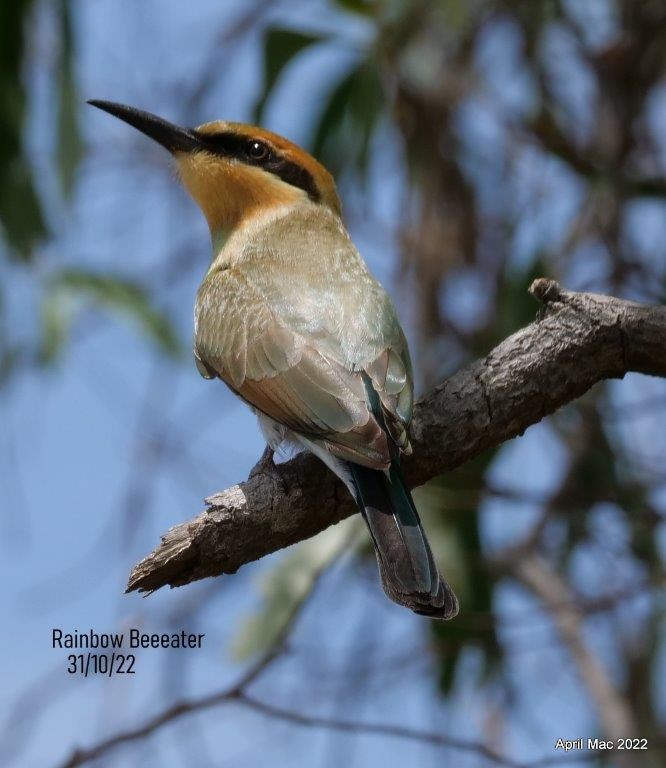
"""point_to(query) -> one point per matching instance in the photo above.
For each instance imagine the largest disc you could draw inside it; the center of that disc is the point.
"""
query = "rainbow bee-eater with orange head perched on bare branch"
(290, 318)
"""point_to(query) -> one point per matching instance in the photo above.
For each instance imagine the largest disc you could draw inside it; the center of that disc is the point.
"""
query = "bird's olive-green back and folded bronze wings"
(298, 327)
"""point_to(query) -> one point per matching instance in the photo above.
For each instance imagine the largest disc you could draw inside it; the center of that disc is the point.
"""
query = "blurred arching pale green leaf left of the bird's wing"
(71, 291)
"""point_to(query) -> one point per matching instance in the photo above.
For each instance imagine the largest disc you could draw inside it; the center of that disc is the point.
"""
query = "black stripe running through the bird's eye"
(238, 147)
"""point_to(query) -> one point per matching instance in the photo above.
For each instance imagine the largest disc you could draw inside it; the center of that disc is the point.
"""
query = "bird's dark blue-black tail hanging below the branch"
(406, 565)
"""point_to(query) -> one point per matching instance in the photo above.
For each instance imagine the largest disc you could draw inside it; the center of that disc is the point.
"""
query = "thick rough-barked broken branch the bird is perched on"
(579, 340)
